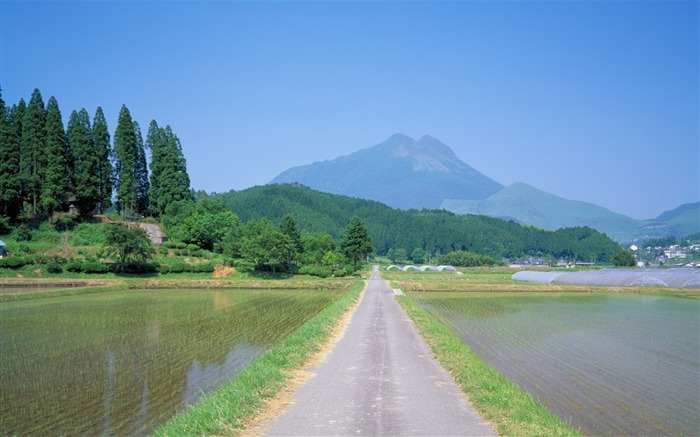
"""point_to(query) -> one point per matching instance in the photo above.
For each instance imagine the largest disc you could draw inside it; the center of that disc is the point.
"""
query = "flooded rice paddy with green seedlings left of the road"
(122, 363)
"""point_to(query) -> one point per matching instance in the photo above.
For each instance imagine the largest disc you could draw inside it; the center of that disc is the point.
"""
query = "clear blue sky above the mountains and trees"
(594, 100)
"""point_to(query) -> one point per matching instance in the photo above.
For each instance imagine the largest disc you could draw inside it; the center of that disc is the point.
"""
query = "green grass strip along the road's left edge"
(222, 412)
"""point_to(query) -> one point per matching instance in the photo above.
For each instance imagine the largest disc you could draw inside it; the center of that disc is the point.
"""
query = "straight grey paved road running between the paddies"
(380, 379)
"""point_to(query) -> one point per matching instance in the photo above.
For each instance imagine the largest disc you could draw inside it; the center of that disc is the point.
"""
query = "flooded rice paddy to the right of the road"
(610, 364)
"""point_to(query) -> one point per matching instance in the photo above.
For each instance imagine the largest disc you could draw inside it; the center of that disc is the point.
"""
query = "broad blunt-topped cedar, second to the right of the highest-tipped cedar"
(86, 173)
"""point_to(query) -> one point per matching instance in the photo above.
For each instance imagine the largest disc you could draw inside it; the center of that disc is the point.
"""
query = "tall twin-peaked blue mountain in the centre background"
(400, 172)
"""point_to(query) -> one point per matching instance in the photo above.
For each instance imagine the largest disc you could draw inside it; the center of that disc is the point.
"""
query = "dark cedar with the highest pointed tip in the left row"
(32, 160)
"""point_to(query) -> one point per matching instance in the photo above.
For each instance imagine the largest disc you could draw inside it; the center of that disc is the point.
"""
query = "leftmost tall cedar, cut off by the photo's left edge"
(9, 164)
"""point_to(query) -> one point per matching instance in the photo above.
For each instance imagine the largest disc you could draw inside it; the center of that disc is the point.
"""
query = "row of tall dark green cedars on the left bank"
(44, 165)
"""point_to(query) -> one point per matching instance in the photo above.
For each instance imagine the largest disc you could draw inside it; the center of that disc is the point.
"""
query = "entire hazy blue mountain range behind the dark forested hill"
(404, 173)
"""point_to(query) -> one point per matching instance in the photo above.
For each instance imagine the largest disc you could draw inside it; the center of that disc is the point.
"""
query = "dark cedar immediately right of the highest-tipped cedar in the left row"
(55, 184)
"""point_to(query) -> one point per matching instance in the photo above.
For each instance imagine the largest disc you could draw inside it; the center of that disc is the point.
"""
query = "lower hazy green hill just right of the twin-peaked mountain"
(529, 205)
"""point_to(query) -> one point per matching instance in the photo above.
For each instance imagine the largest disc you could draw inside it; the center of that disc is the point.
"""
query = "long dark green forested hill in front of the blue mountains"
(433, 231)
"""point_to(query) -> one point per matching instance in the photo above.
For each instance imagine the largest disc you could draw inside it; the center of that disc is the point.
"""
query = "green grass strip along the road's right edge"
(511, 410)
